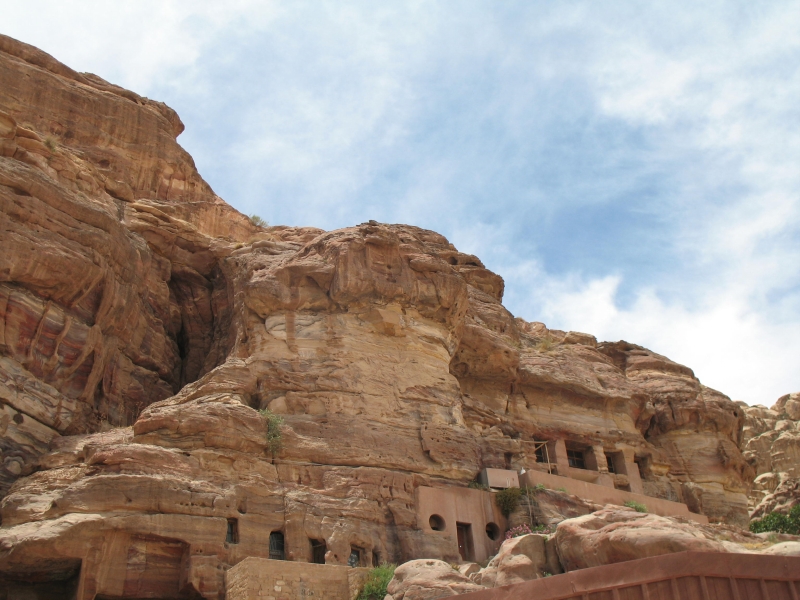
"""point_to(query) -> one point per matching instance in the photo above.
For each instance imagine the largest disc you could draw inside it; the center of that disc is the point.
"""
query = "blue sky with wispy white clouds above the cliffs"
(632, 169)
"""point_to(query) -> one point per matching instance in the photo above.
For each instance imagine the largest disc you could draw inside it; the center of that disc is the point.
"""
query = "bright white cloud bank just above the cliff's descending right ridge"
(730, 346)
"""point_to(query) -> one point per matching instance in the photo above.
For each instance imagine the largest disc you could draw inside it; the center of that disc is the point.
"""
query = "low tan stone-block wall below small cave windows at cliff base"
(259, 578)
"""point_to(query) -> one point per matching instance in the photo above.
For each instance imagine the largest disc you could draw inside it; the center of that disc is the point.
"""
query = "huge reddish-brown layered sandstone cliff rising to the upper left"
(144, 322)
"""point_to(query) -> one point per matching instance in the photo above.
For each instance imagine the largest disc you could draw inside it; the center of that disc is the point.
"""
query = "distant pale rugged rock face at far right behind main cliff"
(771, 444)
